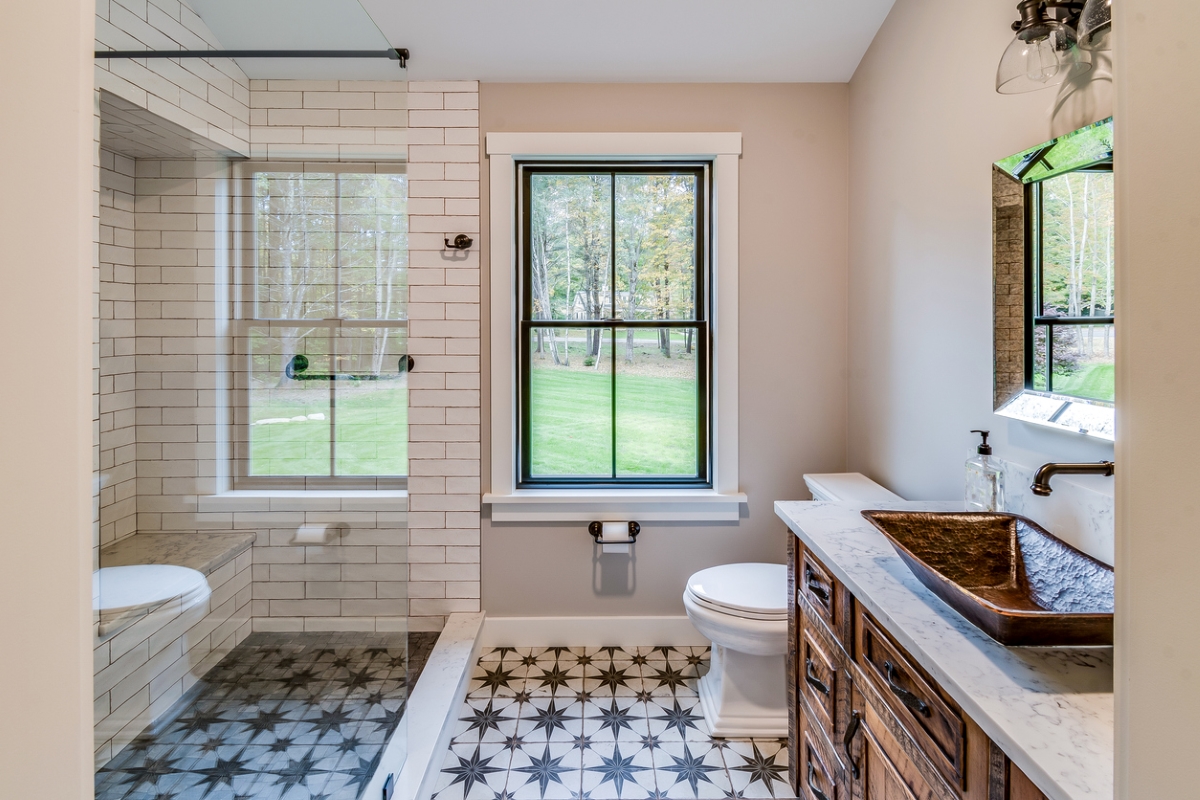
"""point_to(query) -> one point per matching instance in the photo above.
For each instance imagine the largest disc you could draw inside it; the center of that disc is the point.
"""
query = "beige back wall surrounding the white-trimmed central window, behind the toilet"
(793, 285)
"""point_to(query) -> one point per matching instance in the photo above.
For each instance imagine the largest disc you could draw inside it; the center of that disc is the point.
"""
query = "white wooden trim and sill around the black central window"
(724, 501)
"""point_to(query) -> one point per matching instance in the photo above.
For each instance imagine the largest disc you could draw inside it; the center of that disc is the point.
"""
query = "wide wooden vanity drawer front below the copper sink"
(939, 729)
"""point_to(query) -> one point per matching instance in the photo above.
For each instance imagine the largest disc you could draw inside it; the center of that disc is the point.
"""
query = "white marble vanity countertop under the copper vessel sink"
(1049, 709)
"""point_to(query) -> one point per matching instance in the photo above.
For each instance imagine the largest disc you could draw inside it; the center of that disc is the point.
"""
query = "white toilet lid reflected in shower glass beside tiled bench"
(124, 594)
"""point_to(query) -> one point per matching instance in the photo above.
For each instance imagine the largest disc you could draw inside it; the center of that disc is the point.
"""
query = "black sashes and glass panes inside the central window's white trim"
(617, 256)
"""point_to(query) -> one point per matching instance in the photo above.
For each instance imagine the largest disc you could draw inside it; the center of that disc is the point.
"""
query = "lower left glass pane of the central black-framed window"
(571, 402)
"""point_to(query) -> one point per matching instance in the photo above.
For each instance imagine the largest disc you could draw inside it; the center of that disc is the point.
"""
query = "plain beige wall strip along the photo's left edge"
(46, 441)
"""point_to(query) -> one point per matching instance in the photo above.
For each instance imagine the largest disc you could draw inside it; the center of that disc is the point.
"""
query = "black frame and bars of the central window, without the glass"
(701, 322)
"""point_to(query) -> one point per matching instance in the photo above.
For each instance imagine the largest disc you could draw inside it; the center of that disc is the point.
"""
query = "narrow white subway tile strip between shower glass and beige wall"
(445, 312)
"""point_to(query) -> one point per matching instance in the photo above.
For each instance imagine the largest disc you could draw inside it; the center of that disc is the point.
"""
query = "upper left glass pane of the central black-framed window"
(571, 246)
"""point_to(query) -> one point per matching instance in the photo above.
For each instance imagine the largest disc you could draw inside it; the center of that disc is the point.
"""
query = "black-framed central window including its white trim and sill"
(614, 327)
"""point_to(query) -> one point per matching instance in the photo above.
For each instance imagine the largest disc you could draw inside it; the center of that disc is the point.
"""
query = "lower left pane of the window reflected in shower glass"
(289, 419)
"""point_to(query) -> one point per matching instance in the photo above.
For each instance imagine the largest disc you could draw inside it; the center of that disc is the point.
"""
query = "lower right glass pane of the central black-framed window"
(658, 420)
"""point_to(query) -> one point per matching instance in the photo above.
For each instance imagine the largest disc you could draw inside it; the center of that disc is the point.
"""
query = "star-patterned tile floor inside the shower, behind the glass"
(285, 717)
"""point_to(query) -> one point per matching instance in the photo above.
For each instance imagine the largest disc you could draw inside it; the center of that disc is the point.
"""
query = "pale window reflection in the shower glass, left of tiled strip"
(321, 328)
